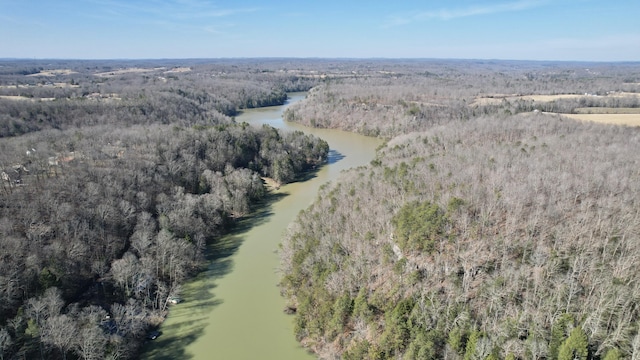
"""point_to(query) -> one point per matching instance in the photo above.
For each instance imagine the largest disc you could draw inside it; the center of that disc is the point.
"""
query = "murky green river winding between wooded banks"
(233, 309)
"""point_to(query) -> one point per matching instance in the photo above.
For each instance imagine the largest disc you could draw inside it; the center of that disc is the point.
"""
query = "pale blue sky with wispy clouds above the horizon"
(586, 30)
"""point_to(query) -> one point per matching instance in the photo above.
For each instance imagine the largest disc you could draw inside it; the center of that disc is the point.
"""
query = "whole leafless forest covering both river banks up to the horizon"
(489, 225)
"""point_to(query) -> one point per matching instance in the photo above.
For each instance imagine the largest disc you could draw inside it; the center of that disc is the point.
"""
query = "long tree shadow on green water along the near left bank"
(190, 318)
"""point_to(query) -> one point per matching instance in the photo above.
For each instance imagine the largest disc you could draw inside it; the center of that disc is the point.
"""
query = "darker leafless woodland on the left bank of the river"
(114, 187)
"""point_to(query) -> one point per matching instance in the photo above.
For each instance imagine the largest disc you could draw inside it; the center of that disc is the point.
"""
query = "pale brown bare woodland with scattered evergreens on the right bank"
(493, 231)
